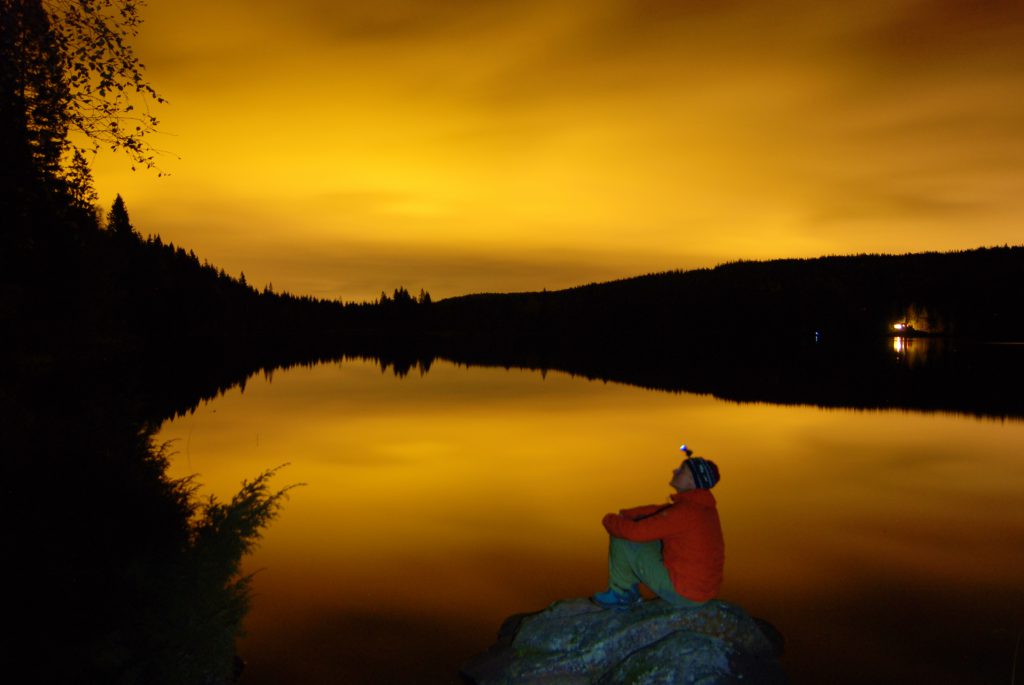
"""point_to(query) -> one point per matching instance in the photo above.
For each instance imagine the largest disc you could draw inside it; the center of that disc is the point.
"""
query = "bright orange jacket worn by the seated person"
(692, 540)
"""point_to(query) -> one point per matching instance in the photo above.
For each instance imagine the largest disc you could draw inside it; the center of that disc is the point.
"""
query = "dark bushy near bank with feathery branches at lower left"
(117, 573)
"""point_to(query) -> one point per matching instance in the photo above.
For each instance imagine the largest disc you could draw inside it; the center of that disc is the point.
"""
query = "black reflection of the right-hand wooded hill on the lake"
(914, 373)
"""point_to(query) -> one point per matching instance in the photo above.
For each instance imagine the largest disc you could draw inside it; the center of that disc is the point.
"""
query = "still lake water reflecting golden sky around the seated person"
(886, 546)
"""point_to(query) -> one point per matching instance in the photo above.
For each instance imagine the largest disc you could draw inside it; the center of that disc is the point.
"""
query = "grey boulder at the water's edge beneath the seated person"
(575, 643)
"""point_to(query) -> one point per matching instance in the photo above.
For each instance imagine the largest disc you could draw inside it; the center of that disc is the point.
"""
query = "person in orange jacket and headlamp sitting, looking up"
(675, 550)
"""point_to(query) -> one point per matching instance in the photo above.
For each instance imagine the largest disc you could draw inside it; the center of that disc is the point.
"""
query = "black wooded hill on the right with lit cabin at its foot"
(967, 295)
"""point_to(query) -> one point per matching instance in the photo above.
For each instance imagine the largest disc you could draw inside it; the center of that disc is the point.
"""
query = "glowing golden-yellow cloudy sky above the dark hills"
(338, 149)
